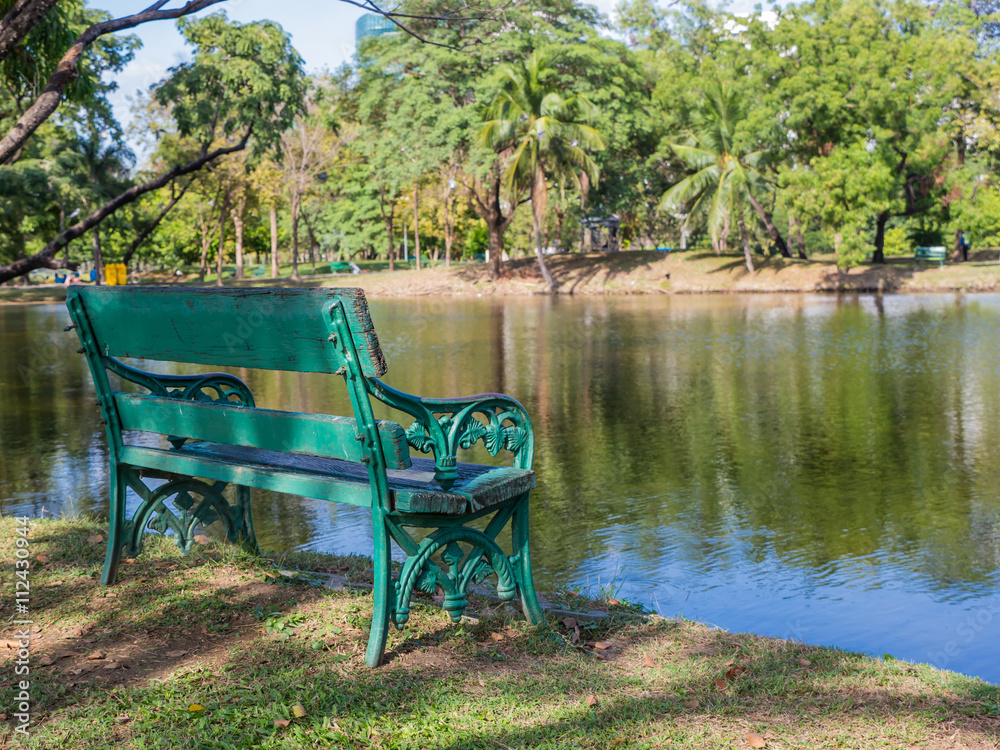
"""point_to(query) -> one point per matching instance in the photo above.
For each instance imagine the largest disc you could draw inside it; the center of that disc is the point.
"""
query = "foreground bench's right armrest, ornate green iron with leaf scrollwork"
(443, 425)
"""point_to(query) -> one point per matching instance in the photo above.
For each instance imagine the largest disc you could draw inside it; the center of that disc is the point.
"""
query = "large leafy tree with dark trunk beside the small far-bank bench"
(832, 74)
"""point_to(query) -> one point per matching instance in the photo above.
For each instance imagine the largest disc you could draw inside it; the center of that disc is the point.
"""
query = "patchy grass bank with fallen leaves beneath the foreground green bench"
(217, 650)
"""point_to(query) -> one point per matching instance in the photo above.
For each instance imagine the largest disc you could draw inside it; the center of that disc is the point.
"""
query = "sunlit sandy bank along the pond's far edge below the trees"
(620, 273)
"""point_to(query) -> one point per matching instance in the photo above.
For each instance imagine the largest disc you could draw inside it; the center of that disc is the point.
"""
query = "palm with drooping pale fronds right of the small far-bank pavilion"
(726, 177)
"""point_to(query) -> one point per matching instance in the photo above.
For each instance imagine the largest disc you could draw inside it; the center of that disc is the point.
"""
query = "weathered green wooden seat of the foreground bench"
(411, 490)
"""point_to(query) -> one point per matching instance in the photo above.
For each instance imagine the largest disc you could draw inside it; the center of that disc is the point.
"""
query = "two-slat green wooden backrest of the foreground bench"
(273, 329)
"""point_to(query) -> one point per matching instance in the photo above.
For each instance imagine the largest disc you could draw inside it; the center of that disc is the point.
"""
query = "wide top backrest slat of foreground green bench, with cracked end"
(271, 329)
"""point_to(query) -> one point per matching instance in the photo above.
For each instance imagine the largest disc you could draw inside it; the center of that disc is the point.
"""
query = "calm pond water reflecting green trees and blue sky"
(818, 468)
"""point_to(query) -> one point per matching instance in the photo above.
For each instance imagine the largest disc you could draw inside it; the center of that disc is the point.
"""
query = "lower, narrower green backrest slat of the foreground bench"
(290, 432)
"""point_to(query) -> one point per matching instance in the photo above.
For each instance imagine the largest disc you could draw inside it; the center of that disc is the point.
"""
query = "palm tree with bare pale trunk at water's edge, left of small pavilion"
(544, 133)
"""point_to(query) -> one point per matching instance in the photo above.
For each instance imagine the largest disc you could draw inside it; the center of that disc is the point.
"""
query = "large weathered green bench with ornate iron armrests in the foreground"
(215, 436)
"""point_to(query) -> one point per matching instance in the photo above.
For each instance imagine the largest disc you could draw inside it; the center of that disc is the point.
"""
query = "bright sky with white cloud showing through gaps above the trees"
(321, 30)
